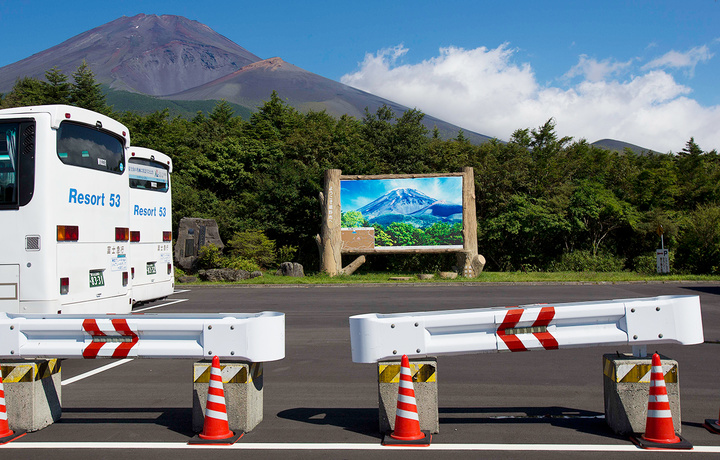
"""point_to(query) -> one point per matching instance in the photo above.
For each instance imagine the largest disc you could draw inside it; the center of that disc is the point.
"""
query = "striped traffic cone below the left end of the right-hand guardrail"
(407, 422)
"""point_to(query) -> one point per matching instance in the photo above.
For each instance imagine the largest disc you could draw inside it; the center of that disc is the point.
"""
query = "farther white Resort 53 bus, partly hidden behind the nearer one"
(151, 267)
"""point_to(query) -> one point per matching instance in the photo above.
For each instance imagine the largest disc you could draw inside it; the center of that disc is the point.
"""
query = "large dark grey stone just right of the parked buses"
(194, 233)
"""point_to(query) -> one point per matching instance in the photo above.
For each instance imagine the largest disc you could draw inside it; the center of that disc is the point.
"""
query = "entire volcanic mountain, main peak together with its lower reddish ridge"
(185, 60)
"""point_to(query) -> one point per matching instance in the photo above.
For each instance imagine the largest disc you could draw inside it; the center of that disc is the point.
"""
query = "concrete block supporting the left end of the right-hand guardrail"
(424, 373)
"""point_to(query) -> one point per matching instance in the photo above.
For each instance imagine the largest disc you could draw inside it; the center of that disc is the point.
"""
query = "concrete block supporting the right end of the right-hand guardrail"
(626, 387)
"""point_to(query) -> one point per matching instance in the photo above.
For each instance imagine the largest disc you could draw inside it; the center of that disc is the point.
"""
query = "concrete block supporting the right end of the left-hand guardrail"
(243, 388)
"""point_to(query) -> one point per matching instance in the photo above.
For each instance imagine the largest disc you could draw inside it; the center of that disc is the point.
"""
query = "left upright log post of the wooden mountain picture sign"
(330, 236)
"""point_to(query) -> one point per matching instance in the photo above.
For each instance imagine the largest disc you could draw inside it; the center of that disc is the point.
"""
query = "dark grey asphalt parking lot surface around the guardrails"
(318, 403)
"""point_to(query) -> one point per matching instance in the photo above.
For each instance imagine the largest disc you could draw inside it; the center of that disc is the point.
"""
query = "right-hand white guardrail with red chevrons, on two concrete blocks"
(636, 322)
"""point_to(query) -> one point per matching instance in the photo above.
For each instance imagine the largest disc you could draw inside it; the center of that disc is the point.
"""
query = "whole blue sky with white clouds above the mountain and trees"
(645, 72)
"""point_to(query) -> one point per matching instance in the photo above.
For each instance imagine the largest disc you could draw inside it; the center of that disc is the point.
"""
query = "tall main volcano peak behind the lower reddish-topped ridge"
(148, 54)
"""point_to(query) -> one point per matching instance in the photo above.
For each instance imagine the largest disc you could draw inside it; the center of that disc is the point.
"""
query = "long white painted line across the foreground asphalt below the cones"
(347, 446)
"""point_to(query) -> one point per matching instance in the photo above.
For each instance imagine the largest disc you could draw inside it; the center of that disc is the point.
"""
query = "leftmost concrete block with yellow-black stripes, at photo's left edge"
(33, 396)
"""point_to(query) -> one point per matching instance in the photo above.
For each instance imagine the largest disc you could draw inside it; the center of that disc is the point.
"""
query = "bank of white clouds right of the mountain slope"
(484, 90)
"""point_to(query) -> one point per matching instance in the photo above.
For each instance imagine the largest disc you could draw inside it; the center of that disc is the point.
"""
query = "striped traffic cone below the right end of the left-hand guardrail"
(216, 429)
